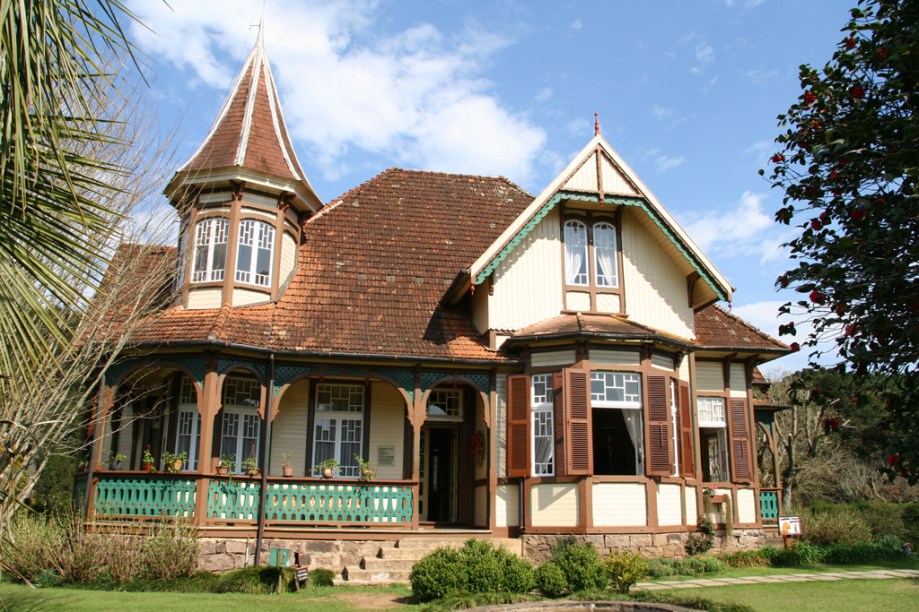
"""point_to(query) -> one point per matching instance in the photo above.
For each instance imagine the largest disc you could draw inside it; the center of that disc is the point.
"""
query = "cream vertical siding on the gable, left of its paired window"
(528, 283)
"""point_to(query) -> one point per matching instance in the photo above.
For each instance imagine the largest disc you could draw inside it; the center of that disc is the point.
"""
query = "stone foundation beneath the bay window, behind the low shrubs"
(538, 548)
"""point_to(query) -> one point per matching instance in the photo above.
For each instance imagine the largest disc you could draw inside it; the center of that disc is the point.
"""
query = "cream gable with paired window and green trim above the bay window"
(595, 241)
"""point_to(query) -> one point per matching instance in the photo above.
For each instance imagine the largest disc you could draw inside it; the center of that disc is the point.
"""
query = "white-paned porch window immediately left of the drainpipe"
(240, 426)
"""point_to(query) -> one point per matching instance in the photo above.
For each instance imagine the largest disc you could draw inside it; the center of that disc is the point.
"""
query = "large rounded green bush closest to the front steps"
(477, 567)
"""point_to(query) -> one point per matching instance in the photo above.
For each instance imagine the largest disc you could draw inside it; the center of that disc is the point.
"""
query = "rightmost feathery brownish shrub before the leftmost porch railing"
(170, 551)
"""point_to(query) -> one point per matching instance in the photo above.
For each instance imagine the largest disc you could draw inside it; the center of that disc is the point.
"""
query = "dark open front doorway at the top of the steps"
(440, 480)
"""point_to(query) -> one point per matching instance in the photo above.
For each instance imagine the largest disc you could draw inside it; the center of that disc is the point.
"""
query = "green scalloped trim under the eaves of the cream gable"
(618, 200)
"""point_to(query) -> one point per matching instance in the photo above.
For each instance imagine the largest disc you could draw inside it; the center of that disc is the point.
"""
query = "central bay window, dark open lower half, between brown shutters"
(618, 433)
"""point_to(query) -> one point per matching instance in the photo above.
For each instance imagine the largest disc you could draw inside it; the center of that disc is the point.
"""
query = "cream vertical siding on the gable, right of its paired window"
(655, 286)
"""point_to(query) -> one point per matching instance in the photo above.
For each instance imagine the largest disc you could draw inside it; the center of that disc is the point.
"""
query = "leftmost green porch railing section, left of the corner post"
(145, 497)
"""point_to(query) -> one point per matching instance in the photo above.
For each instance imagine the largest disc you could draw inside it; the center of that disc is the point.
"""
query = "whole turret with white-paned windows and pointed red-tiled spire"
(242, 198)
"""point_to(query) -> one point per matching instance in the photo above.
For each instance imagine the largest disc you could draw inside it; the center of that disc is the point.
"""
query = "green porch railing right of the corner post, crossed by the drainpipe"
(312, 503)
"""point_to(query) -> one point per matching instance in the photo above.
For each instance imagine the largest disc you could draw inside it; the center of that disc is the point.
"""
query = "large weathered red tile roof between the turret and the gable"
(373, 268)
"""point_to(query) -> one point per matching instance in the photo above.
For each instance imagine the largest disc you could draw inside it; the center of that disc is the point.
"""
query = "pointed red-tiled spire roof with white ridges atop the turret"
(249, 138)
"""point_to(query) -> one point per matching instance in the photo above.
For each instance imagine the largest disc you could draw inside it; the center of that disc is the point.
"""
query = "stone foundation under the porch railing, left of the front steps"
(223, 554)
